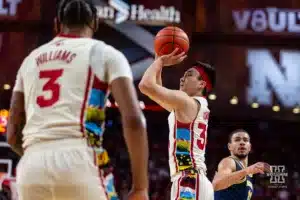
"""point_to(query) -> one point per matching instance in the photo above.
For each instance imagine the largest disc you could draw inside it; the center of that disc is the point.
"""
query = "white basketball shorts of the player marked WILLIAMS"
(61, 170)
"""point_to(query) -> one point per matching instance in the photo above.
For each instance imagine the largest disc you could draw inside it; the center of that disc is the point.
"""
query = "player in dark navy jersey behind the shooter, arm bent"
(234, 179)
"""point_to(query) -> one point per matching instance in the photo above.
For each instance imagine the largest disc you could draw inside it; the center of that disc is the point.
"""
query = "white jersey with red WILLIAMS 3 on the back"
(65, 84)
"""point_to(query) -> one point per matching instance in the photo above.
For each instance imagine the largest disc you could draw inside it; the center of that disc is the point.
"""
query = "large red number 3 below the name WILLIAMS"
(51, 85)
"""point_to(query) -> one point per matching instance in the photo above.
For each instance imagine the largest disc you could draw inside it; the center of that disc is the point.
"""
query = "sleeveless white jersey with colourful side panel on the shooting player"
(187, 141)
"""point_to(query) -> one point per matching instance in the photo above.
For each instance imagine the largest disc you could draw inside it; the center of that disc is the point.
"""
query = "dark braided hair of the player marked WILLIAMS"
(76, 13)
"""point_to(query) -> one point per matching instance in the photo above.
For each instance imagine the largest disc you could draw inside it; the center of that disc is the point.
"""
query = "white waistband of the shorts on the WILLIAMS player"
(57, 144)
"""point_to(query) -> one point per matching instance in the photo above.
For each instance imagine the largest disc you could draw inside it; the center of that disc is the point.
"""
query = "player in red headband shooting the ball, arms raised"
(188, 122)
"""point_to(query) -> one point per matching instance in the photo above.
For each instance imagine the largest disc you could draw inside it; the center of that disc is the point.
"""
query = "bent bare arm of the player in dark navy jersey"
(226, 175)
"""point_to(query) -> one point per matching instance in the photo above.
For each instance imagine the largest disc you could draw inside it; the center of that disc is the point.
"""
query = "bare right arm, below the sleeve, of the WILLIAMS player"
(134, 128)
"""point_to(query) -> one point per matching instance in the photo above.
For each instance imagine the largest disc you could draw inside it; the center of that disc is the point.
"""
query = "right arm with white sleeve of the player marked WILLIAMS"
(119, 77)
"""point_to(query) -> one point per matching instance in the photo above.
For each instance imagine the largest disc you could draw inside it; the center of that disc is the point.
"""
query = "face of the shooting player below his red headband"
(190, 82)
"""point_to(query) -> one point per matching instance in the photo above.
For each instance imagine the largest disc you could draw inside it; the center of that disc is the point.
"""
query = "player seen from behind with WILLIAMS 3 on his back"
(61, 91)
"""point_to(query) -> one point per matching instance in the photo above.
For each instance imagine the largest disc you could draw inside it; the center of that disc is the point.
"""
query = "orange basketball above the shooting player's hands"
(170, 38)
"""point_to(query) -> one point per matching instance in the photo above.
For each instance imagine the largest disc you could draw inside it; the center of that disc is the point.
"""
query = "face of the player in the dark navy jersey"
(240, 145)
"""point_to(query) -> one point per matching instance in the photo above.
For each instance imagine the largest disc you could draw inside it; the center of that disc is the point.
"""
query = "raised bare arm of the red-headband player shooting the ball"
(167, 98)
